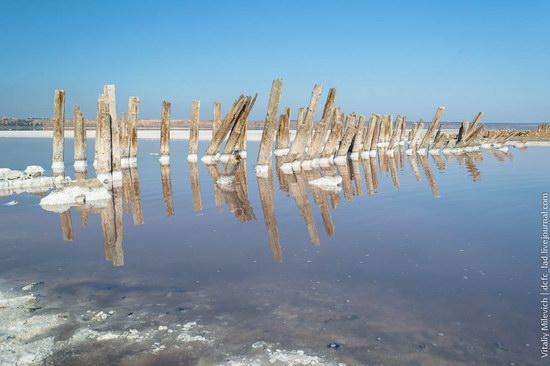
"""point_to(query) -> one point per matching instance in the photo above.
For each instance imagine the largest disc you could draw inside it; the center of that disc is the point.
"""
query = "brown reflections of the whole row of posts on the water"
(236, 194)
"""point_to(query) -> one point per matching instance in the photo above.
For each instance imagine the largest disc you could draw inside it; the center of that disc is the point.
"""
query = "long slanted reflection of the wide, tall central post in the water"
(265, 187)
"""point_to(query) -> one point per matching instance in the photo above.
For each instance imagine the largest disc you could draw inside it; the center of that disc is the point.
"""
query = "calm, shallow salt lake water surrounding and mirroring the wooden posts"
(416, 261)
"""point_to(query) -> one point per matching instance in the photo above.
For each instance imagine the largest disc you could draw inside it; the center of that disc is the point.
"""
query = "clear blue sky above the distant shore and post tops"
(398, 57)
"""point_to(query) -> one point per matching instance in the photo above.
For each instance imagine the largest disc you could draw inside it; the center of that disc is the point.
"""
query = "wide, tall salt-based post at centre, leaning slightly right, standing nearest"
(264, 155)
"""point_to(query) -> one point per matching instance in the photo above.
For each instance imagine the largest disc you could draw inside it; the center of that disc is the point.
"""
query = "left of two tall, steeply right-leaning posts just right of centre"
(297, 149)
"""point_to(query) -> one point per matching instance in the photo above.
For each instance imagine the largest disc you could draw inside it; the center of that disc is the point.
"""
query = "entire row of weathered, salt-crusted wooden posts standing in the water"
(333, 139)
